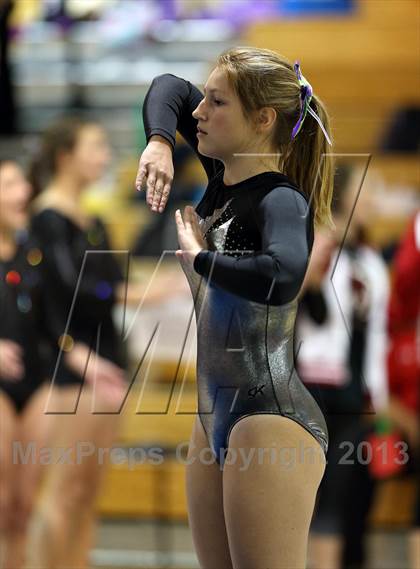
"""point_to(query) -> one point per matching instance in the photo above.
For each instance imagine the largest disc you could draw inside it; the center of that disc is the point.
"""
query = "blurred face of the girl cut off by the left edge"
(15, 194)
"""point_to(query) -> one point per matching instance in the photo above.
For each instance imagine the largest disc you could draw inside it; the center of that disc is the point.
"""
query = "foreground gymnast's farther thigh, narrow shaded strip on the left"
(205, 503)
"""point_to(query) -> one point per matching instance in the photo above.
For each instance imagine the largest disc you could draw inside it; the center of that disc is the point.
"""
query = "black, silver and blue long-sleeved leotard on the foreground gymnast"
(259, 234)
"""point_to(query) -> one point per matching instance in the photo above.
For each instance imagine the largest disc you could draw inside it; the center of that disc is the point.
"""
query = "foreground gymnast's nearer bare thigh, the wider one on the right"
(270, 479)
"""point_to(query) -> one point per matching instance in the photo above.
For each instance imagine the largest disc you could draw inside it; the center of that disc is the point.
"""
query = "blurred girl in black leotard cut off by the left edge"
(22, 369)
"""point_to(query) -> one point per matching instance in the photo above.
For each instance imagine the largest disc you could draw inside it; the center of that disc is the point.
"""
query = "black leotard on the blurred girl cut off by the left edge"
(21, 318)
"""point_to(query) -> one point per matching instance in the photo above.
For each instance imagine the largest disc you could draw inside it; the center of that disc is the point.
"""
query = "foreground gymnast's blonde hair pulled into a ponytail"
(263, 78)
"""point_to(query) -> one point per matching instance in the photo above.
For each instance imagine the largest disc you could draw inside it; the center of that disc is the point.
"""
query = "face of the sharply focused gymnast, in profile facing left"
(220, 116)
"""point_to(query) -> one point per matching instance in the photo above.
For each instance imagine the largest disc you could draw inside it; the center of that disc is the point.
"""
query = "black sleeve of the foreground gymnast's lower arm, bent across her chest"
(275, 273)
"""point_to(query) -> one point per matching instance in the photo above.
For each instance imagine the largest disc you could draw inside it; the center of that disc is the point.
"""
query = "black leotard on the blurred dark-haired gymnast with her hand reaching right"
(64, 244)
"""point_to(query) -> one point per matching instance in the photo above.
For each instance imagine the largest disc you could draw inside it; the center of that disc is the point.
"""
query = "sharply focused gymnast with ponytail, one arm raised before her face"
(245, 255)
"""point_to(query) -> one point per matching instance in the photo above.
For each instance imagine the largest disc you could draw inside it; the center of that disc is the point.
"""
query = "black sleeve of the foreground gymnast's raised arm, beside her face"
(168, 107)
